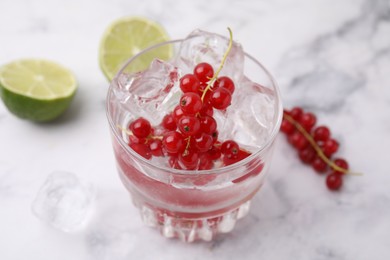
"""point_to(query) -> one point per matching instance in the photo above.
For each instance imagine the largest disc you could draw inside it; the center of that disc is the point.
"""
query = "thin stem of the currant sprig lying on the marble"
(316, 147)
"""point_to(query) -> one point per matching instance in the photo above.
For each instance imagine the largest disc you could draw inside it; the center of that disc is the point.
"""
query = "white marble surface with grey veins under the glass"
(332, 57)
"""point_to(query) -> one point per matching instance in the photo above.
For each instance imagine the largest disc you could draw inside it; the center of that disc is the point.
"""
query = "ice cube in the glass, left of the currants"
(149, 93)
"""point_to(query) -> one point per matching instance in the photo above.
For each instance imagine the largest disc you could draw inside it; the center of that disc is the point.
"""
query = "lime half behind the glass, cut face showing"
(125, 38)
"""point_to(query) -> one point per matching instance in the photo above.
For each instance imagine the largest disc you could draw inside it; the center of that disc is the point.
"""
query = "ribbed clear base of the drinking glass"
(191, 229)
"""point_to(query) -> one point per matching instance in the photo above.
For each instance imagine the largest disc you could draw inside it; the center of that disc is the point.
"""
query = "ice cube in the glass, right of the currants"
(250, 118)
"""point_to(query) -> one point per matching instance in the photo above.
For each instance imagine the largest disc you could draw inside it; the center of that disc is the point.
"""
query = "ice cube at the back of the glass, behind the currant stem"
(201, 46)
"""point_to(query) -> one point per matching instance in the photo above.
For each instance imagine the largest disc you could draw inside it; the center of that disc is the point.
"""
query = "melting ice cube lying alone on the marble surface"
(64, 201)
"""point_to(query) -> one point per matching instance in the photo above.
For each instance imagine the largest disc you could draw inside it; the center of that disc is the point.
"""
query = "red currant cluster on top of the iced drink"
(189, 135)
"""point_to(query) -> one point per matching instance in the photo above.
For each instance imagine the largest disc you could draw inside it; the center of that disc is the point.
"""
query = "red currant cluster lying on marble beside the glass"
(315, 145)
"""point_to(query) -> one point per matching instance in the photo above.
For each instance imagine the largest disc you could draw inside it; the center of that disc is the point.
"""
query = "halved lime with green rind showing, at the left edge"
(34, 89)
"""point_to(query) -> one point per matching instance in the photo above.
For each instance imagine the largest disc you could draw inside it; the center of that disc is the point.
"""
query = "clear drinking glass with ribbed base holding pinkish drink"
(190, 205)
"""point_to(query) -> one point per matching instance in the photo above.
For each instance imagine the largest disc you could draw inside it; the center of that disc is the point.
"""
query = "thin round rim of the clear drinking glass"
(228, 168)
